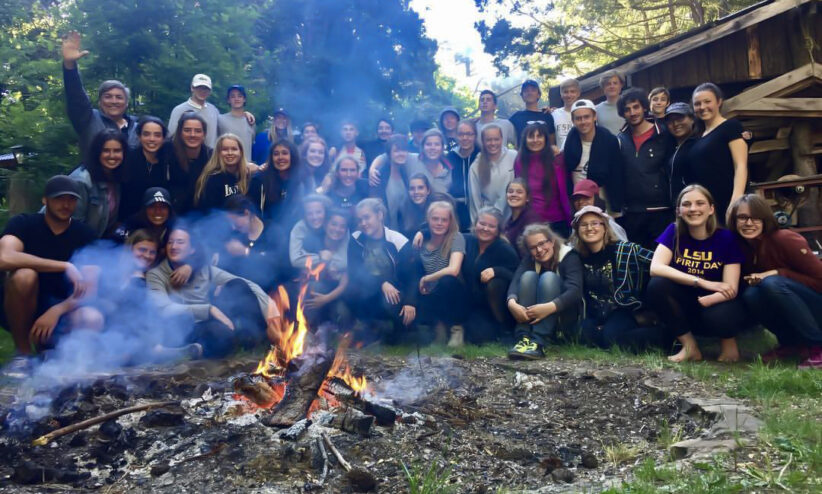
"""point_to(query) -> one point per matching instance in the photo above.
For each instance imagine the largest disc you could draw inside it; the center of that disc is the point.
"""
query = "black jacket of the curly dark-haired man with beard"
(646, 170)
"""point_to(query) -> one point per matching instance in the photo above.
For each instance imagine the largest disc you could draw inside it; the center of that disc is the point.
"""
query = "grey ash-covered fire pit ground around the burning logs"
(494, 423)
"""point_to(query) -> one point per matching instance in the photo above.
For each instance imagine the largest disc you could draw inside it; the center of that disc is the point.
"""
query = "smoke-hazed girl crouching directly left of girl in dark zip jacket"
(324, 300)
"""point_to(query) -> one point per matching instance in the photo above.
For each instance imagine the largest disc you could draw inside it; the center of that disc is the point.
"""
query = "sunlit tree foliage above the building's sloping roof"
(579, 35)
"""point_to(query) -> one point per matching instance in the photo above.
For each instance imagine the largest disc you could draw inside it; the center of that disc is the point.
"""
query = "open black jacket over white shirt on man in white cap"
(605, 165)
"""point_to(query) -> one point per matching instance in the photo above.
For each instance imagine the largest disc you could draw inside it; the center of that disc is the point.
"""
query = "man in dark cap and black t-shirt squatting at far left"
(42, 285)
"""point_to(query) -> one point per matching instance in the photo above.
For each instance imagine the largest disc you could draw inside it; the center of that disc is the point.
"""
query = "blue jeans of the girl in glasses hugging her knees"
(540, 289)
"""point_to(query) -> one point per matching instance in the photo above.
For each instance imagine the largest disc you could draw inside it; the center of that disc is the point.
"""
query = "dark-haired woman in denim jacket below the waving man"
(99, 182)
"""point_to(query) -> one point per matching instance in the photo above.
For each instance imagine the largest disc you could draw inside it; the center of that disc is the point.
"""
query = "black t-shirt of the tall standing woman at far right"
(710, 163)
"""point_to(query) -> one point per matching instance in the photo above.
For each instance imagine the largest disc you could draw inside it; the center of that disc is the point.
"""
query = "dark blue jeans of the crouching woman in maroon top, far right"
(789, 309)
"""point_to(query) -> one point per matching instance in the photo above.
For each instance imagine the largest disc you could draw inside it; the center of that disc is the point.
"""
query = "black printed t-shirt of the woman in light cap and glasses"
(598, 283)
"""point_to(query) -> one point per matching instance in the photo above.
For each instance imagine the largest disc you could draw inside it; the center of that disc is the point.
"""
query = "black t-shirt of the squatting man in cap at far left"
(38, 240)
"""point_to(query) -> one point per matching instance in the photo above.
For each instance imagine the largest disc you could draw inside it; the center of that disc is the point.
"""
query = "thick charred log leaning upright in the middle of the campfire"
(300, 391)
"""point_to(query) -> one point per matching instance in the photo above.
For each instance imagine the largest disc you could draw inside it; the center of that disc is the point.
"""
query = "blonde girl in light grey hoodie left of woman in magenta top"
(491, 171)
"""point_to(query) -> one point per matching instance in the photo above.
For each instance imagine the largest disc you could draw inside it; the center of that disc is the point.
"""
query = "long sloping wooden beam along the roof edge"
(700, 38)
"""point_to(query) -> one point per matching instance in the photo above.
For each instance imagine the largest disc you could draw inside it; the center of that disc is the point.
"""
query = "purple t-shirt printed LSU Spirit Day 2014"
(703, 258)
